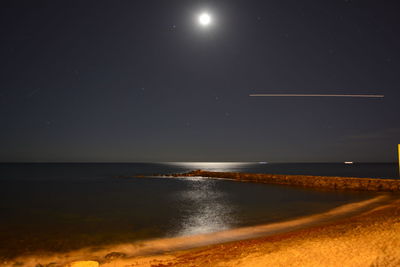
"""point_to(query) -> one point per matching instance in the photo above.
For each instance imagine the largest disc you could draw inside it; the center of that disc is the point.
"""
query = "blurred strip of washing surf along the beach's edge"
(168, 247)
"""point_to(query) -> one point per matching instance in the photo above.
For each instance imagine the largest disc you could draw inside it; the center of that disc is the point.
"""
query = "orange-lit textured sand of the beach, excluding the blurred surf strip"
(369, 239)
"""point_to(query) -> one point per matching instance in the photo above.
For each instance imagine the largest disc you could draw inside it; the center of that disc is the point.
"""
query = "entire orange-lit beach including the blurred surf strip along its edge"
(331, 238)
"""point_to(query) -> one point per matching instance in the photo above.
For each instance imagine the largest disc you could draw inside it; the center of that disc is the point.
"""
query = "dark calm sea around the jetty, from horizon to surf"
(58, 207)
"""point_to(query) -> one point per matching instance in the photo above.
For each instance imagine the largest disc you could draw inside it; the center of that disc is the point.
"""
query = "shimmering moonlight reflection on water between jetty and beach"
(212, 211)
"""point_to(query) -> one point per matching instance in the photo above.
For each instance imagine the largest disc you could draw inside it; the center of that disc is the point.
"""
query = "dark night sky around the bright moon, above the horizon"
(143, 81)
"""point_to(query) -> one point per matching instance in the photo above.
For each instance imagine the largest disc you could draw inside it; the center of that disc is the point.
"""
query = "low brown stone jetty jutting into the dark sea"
(308, 181)
